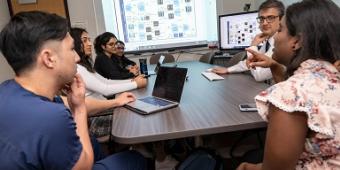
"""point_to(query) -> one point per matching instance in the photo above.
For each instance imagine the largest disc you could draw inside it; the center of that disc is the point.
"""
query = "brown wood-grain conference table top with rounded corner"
(206, 107)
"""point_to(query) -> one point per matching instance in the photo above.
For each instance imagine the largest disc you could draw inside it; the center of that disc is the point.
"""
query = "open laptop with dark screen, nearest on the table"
(166, 92)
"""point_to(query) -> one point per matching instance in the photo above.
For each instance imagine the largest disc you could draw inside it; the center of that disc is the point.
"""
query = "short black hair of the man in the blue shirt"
(22, 38)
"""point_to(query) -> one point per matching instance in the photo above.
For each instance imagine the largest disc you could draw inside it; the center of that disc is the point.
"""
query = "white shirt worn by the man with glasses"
(260, 74)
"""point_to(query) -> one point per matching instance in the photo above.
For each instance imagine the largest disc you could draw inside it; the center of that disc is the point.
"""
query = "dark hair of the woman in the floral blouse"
(317, 22)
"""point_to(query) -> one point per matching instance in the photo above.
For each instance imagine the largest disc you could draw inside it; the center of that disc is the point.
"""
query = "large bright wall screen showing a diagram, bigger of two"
(161, 24)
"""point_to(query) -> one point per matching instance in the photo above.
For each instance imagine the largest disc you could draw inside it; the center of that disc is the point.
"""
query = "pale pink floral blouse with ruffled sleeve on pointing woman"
(315, 90)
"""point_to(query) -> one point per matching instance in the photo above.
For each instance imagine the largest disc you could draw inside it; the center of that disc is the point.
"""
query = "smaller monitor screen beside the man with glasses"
(236, 31)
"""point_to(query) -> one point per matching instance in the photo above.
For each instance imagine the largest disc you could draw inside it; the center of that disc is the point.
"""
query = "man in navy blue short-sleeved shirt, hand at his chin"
(37, 131)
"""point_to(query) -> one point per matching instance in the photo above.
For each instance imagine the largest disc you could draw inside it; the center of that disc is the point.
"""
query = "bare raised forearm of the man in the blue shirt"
(80, 118)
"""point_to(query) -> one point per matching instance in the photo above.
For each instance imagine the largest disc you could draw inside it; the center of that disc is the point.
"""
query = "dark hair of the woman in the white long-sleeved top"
(85, 61)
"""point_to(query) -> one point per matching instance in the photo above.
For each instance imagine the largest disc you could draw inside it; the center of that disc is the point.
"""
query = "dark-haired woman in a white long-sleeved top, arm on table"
(96, 85)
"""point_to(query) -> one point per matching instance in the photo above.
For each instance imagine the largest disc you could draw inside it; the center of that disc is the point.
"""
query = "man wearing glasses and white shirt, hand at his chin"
(270, 14)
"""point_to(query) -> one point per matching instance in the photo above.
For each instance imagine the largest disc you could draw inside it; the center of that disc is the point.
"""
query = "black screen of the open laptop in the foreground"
(169, 83)
